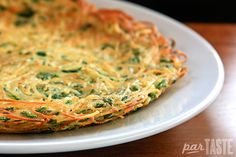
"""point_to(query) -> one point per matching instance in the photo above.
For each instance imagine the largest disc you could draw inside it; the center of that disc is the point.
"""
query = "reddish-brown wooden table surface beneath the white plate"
(216, 122)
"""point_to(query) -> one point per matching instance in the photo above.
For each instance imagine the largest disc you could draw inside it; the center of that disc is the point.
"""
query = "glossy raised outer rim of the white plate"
(141, 133)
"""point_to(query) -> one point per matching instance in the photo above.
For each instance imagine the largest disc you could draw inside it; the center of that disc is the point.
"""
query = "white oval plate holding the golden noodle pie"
(187, 98)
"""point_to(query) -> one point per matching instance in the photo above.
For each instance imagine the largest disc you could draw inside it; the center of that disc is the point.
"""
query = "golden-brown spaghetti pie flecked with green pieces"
(66, 64)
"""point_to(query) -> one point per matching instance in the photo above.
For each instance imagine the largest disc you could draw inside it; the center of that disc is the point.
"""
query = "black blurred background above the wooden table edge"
(194, 10)
